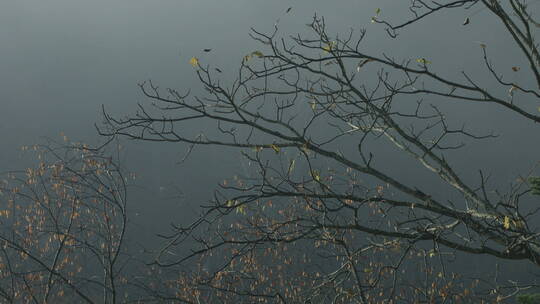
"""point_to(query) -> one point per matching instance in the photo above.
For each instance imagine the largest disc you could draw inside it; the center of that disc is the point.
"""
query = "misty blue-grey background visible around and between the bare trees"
(61, 60)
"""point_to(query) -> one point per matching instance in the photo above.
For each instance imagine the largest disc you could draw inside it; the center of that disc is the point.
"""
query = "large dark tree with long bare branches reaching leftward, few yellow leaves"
(321, 218)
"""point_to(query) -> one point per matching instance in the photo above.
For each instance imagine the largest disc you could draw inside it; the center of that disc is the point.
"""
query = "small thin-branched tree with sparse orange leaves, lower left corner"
(63, 226)
